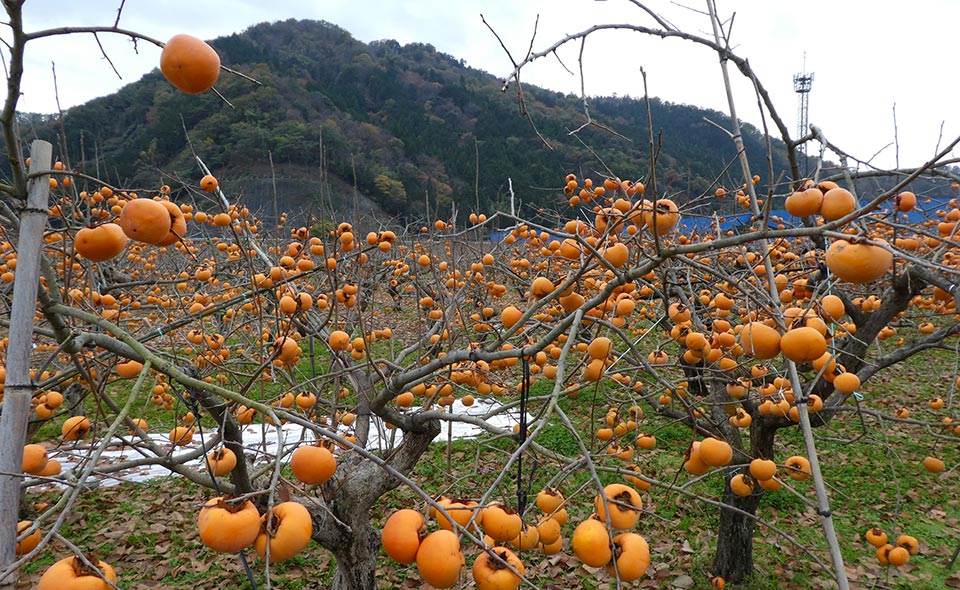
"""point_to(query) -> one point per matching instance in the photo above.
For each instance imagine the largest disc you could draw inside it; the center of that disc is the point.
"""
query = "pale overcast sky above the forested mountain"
(866, 59)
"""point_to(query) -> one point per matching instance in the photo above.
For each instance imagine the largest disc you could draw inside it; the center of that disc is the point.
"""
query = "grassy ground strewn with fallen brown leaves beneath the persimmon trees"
(148, 532)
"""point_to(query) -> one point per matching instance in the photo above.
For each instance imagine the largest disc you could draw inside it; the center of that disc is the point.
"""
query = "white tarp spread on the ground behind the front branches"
(261, 442)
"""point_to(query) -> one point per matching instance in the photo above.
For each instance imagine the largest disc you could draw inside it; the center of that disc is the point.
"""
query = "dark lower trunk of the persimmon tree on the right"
(733, 560)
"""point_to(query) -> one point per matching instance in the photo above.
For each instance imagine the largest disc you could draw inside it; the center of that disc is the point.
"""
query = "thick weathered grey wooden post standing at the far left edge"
(17, 388)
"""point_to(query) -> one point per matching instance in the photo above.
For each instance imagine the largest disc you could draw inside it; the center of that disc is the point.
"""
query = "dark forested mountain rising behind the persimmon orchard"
(406, 125)
